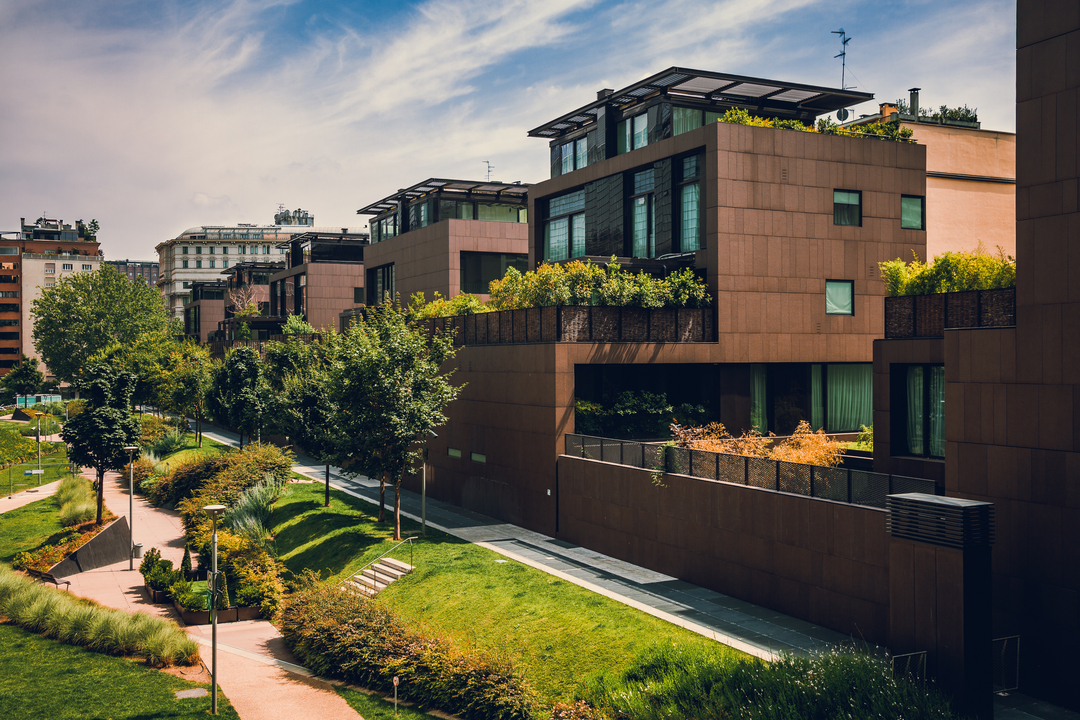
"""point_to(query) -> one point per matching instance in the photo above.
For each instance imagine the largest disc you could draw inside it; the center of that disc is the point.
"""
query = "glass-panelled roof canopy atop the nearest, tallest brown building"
(722, 91)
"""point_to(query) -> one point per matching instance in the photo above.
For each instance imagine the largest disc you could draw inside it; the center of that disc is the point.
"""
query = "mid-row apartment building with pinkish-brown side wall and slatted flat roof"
(445, 237)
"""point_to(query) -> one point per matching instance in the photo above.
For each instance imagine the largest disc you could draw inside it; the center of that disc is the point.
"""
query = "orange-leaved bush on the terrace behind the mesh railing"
(804, 446)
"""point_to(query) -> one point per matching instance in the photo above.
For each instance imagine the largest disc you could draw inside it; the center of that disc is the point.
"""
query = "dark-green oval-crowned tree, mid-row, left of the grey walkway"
(239, 393)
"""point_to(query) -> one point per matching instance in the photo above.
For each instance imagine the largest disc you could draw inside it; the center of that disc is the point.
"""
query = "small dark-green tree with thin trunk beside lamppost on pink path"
(101, 432)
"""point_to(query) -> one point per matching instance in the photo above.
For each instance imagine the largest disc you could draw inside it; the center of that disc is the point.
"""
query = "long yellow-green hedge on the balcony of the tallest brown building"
(579, 283)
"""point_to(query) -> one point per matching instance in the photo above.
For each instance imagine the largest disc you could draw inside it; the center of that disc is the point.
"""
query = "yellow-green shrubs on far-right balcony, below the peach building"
(952, 273)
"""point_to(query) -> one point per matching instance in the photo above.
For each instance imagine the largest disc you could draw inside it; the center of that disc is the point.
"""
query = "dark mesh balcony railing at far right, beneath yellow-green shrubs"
(930, 316)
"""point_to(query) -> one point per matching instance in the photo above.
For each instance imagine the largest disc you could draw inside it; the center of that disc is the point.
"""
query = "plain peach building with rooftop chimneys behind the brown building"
(971, 182)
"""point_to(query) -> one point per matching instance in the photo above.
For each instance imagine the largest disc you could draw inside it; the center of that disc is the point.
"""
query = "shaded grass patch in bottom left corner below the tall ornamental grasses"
(42, 678)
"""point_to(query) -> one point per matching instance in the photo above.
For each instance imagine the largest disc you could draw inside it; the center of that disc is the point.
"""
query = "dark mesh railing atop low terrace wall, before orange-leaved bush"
(839, 484)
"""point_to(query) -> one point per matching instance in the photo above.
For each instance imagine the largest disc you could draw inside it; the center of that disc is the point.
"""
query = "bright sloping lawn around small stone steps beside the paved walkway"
(555, 631)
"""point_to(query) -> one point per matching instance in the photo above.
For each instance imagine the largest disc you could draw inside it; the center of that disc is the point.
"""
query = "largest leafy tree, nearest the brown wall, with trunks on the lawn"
(388, 393)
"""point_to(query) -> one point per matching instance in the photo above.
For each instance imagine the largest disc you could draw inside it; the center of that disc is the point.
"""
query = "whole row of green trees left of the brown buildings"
(363, 400)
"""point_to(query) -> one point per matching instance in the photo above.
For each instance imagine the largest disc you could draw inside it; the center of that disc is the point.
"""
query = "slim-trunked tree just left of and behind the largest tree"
(306, 414)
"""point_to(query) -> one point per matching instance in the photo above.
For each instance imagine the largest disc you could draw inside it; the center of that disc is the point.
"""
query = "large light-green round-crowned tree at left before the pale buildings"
(87, 313)
